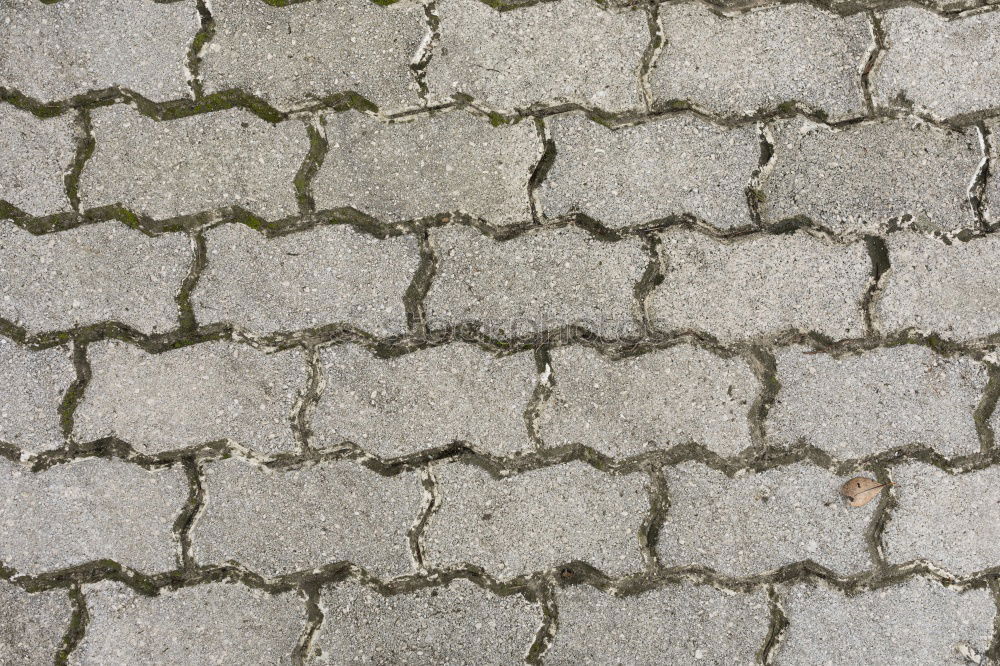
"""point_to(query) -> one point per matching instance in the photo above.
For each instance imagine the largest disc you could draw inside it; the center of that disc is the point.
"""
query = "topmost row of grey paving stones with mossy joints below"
(573, 51)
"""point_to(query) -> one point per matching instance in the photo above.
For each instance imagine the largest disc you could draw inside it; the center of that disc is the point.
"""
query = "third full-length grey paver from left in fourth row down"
(653, 401)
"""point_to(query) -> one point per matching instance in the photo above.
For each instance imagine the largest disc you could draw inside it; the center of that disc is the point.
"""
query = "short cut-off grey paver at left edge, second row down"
(37, 154)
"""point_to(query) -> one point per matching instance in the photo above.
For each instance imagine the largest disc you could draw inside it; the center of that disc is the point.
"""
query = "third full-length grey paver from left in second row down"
(676, 166)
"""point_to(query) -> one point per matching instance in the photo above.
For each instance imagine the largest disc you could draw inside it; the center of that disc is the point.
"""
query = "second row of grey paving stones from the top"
(856, 178)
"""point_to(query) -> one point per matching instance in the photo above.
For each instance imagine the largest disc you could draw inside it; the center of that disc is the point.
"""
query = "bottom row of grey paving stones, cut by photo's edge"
(463, 623)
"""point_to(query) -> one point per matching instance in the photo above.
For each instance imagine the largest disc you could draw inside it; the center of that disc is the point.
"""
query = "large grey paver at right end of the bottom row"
(918, 621)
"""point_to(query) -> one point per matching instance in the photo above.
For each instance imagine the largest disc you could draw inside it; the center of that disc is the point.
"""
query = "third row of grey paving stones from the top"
(751, 288)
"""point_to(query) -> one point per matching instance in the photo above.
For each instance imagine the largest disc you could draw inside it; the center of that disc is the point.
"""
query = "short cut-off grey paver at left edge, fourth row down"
(33, 385)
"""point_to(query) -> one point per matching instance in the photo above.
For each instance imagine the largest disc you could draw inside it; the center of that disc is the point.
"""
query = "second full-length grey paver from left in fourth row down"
(424, 399)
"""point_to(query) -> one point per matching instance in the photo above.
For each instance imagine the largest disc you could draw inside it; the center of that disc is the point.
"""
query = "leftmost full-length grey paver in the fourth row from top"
(193, 395)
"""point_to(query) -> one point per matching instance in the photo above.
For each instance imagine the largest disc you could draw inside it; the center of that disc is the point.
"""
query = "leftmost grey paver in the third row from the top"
(91, 274)
